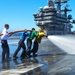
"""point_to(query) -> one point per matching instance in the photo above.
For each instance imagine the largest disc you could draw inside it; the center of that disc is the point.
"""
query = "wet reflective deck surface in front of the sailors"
(51, 60)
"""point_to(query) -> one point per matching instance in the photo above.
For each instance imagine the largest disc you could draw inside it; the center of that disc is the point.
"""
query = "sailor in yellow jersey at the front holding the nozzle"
(41, 34)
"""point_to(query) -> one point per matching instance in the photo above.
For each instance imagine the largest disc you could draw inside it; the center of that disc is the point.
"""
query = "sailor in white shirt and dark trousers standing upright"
(5, 48)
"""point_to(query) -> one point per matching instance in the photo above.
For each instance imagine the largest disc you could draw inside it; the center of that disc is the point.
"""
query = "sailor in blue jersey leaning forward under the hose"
(21, 44)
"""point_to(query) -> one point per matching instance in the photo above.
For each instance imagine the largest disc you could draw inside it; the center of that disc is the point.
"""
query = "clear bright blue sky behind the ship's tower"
(19, 13)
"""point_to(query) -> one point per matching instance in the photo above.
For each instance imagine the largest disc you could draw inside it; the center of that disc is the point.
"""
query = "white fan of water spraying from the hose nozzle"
(65, 42)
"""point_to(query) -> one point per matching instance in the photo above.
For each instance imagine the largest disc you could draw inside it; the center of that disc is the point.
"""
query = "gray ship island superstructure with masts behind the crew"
(53, 18)
